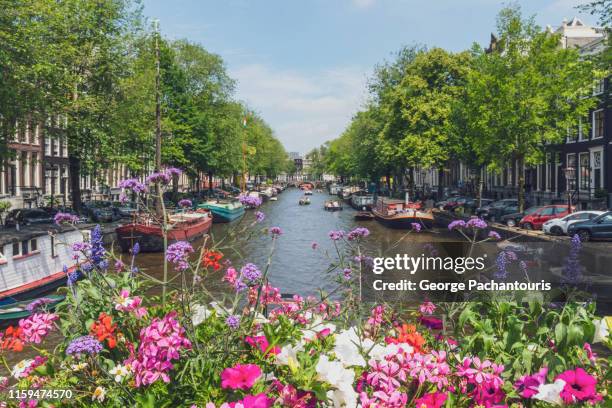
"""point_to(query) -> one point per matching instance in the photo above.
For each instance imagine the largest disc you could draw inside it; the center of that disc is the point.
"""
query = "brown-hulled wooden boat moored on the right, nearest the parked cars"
(401, 214)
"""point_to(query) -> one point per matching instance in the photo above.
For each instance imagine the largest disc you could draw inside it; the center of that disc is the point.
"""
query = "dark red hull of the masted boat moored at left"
(150, 238)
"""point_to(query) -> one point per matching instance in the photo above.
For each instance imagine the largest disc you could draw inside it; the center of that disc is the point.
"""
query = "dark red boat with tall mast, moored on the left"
(184, 226)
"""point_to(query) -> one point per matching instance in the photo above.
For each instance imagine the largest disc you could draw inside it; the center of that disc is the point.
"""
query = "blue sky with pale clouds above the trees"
(303, 65)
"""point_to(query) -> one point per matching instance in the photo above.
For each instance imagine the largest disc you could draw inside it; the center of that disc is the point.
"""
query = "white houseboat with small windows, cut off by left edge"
(32, 259)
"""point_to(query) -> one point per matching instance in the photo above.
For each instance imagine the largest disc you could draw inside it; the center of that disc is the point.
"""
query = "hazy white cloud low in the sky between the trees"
(304, 109)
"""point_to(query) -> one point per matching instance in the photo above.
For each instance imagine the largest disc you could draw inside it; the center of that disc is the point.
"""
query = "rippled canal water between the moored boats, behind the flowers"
(295, 267)
